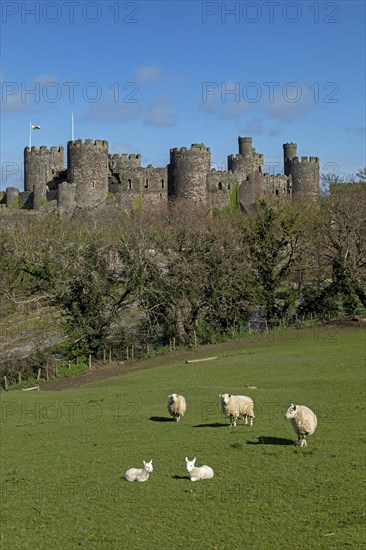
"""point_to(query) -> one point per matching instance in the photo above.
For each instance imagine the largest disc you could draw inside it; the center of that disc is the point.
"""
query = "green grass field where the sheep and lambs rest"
(64, 453)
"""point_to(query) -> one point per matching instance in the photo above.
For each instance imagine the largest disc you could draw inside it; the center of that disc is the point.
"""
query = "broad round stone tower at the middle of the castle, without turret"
(187, 173)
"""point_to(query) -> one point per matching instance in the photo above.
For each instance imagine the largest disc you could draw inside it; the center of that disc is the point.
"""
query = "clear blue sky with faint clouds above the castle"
(148, 76)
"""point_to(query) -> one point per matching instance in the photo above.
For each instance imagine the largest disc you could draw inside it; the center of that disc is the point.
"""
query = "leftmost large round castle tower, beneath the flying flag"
(41, 167)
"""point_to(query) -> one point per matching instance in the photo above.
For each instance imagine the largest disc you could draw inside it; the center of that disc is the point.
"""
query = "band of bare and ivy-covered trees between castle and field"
(180, 273)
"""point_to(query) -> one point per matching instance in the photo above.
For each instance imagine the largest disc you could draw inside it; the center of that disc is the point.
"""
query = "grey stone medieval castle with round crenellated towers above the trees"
(94, 178)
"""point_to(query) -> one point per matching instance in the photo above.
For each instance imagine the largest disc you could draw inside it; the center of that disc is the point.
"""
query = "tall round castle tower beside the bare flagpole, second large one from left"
(87, 169)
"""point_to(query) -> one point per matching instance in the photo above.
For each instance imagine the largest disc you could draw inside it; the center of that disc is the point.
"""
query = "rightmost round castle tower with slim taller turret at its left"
(304, 172)
